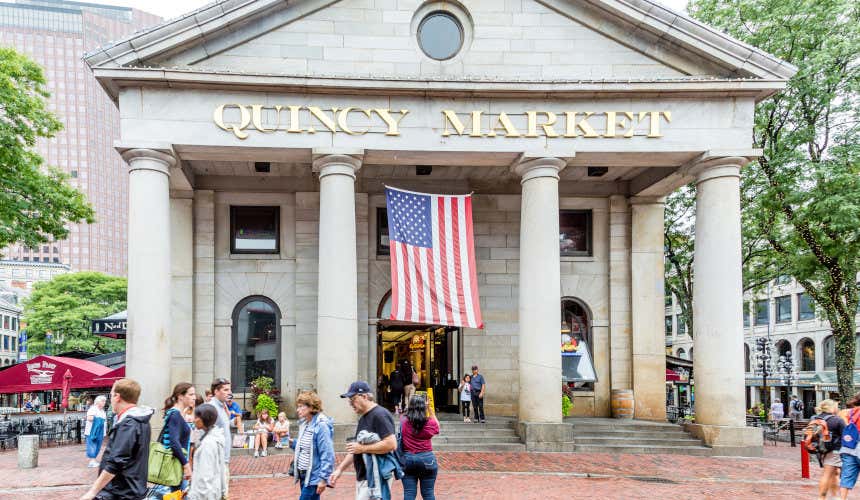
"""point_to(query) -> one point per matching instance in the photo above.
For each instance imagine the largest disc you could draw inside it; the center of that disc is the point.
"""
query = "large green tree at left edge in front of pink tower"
(36, 203)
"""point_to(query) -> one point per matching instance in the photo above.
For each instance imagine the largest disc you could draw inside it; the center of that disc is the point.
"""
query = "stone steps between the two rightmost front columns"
(605, 435)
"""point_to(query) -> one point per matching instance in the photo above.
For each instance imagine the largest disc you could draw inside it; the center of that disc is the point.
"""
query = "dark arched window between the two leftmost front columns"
(256, 341)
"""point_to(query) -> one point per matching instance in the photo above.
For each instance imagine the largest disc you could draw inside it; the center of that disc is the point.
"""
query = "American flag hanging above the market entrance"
(433, 274)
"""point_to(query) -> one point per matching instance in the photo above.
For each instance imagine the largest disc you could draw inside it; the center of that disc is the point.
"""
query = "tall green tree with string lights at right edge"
(806, 187)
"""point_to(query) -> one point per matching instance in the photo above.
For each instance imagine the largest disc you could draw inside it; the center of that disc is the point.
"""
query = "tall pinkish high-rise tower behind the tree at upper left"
(56, 34)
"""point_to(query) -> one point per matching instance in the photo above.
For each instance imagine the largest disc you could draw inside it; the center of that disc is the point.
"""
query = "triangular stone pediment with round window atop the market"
(534, 40)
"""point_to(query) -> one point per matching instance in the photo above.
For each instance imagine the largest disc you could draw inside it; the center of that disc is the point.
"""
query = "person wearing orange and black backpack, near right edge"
(823, 436)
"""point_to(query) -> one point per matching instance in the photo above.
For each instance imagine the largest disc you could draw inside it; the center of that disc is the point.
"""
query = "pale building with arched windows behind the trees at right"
(785, 315)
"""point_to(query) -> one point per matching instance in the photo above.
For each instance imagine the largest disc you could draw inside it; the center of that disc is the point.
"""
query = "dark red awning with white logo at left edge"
(45, 373)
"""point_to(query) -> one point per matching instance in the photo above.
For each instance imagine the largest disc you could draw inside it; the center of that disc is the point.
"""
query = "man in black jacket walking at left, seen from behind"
(123, 469)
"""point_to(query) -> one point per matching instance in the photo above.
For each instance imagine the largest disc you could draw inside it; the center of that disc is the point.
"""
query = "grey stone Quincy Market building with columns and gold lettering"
(260, 135)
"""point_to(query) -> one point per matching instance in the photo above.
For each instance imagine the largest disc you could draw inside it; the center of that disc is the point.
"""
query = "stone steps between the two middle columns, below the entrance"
(498, 434)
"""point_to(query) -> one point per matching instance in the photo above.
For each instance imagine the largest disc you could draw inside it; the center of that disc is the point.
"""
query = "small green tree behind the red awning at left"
(66, 304)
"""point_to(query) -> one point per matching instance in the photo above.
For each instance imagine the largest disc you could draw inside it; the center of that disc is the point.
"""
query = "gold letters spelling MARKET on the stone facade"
(569, 124)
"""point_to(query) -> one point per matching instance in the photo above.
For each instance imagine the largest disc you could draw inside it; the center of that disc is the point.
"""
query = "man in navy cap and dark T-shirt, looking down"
(373, 444)
